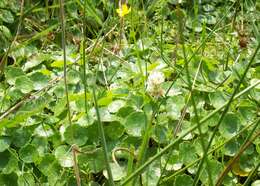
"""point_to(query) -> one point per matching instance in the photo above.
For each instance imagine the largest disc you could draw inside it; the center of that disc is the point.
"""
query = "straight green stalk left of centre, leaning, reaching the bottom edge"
(103, 140)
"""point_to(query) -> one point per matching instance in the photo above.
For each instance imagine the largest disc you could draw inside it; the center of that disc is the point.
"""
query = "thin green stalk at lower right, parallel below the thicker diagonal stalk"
(211, 151)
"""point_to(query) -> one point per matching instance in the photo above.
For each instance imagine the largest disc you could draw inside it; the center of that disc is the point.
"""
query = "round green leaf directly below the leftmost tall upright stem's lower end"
(75, 134)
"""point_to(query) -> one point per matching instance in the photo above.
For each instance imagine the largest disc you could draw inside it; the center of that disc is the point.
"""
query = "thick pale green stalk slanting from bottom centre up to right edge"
(168, 147)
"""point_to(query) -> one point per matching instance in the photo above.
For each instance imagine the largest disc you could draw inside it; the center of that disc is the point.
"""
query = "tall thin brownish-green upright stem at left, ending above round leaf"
(62, 16)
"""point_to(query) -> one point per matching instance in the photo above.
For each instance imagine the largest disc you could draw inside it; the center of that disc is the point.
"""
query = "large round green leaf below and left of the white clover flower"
(135, 124)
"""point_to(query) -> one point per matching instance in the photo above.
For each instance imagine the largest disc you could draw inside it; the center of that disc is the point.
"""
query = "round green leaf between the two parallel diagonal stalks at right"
(230, 125)
